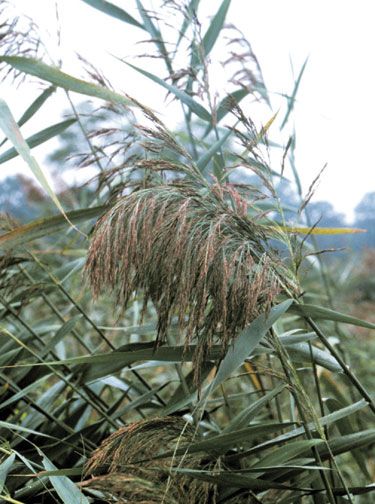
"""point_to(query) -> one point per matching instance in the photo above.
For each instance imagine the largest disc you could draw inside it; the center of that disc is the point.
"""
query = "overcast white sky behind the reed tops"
(336, 102)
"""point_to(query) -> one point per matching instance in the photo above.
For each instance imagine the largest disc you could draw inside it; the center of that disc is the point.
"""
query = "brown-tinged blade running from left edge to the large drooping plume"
(43, 227)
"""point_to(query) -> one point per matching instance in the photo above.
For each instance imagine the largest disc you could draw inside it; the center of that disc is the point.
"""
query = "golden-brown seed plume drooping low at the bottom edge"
(123, 466)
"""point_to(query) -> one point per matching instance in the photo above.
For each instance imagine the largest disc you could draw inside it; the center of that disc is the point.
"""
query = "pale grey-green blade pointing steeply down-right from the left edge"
(11, 130)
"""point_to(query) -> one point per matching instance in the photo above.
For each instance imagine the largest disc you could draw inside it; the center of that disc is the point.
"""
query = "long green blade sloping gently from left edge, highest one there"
(55, 76)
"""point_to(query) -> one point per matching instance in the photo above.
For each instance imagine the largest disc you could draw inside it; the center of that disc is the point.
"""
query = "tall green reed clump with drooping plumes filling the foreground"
(169, 331)
